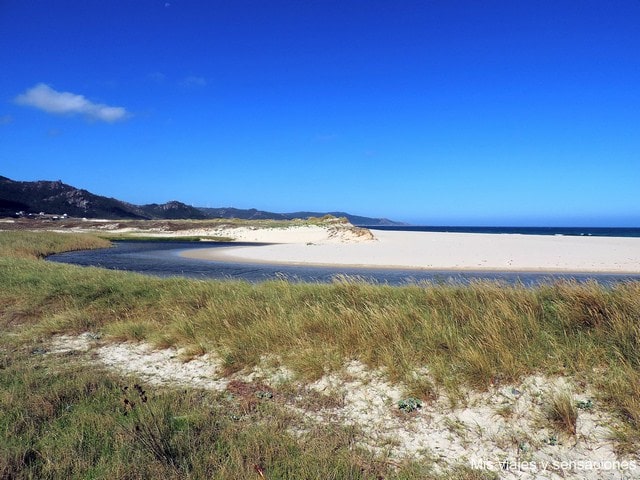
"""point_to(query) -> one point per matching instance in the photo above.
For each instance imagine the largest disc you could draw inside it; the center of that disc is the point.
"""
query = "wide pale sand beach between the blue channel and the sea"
(437, 251)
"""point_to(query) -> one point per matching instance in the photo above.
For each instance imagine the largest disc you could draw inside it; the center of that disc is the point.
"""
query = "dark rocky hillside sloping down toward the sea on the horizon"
(55, 197)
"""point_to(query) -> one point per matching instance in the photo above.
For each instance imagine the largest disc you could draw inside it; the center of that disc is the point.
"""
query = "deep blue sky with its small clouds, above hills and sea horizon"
(430, 112)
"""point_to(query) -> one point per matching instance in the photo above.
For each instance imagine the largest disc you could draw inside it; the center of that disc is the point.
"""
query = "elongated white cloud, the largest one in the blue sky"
(45, 98)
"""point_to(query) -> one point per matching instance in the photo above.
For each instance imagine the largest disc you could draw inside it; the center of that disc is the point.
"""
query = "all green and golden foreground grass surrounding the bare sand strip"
(60, 419)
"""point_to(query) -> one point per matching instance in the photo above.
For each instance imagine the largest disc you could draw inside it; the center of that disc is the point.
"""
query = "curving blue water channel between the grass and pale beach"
(163, 259)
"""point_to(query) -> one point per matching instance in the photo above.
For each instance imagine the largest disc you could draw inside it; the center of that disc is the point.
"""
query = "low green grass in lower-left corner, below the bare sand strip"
(64, 420)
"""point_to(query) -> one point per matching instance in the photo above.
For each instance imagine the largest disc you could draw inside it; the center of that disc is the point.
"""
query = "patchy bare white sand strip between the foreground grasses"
(504, 429)
